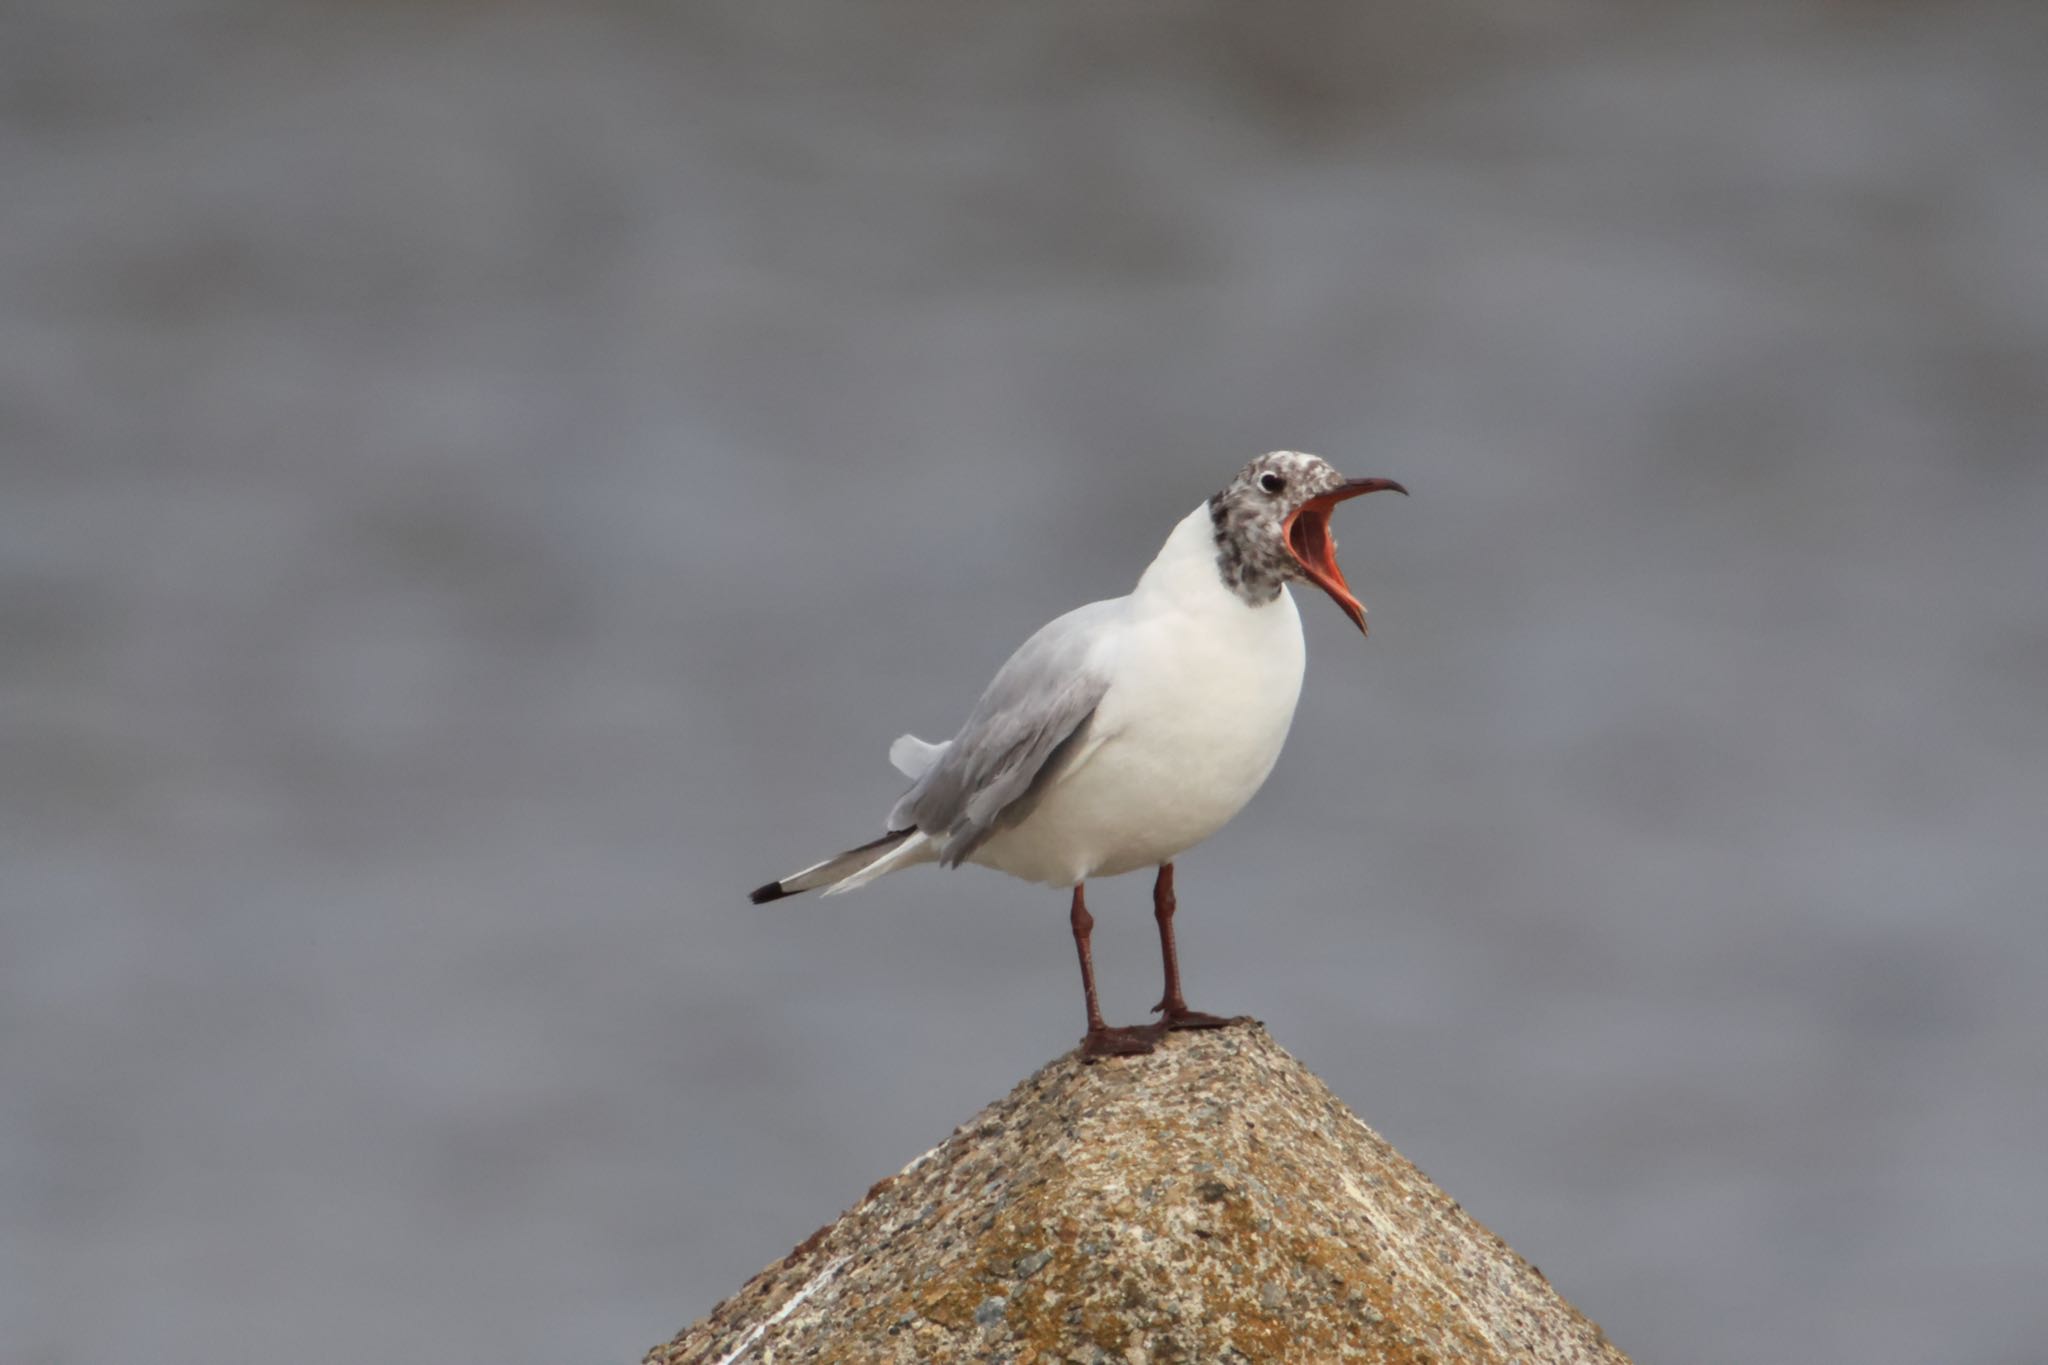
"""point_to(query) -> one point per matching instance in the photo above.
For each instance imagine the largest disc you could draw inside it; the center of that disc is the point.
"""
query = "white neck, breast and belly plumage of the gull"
(1201, 701)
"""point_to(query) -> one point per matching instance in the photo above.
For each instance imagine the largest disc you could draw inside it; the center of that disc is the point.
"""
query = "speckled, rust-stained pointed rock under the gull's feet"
(1209, 1202)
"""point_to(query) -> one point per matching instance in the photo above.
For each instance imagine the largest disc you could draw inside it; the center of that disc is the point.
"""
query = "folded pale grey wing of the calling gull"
(1017, 736)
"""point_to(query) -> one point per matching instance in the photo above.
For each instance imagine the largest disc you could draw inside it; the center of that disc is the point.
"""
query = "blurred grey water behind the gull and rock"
(484, 484)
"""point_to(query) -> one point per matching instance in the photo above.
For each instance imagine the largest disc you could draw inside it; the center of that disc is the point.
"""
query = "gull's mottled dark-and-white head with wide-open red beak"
(1273, 527)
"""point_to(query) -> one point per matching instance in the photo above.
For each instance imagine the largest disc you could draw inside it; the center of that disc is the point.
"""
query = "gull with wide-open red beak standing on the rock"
(1129, 732)
